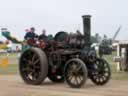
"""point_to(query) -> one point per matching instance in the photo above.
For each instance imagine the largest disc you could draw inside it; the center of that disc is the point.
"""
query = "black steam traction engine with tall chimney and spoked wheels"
(67, 58)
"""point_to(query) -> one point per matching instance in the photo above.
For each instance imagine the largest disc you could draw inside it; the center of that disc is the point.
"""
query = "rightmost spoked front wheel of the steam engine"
(102, 72)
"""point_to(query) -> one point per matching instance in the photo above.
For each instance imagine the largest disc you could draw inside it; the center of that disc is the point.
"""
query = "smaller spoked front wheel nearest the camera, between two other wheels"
(75, 73)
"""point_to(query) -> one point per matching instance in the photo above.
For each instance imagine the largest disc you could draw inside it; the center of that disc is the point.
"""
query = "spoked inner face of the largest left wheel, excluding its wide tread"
(30, 66)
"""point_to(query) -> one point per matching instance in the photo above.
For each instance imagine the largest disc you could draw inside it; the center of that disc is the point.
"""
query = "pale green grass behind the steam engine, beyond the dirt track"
(13, 69)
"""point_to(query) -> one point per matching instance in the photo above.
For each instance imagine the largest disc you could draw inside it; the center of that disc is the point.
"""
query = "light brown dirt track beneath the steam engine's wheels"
(12, 85)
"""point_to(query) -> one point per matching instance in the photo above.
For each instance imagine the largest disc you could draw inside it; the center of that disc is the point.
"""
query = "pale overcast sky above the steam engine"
(56, 15)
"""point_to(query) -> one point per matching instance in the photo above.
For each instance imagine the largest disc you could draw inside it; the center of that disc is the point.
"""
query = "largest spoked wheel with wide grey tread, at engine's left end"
(33, 66)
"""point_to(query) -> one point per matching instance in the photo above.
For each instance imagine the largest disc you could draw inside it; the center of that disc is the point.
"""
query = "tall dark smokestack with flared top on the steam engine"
(87, 29)
